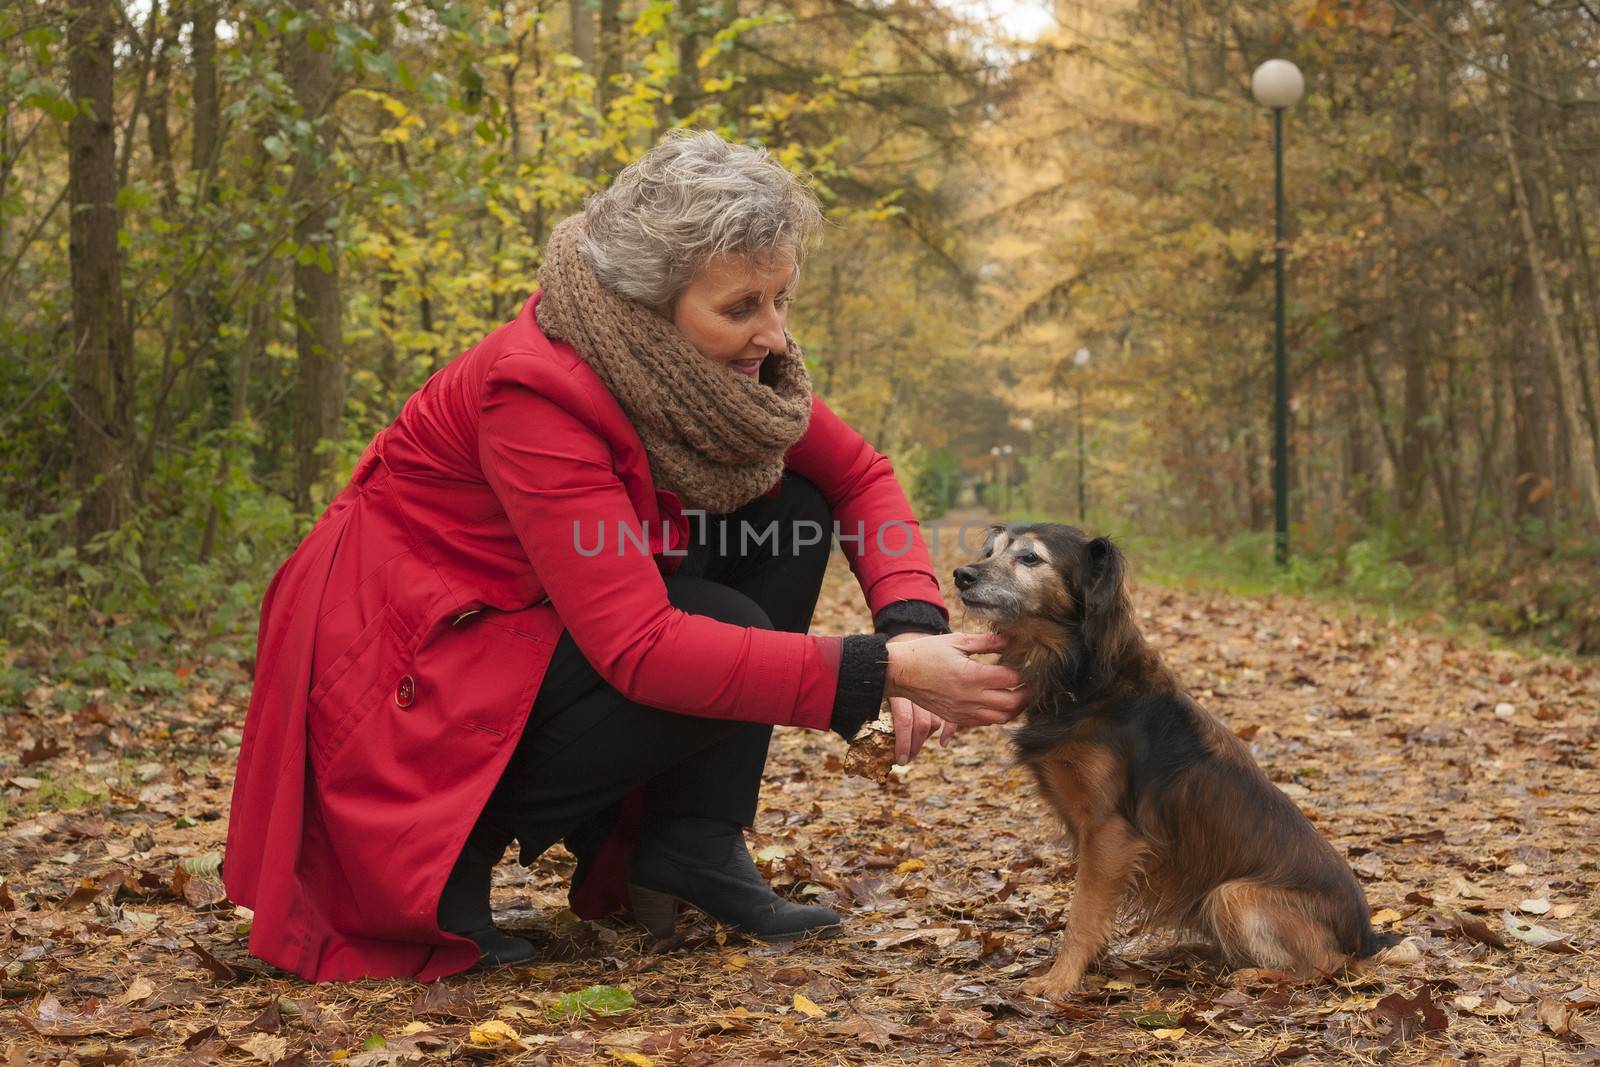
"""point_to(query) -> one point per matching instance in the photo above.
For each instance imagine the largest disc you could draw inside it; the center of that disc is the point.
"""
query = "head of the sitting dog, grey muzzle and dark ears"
(1058, 589)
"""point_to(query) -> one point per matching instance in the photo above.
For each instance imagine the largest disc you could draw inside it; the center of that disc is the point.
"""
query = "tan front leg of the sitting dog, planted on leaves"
(1108, 857)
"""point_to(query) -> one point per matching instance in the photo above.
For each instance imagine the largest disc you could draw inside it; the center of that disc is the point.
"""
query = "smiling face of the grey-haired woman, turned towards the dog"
(734, 313)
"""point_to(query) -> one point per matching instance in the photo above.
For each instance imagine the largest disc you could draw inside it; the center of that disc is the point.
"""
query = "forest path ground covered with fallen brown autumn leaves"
(1458, 781)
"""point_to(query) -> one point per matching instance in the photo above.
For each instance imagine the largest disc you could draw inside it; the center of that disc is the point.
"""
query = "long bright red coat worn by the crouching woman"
(404, 642)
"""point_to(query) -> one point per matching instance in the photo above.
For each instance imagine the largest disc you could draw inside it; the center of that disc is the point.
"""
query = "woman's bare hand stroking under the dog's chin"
(937, 673)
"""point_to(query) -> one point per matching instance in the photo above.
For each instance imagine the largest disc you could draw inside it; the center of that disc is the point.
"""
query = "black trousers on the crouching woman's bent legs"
(586, 746)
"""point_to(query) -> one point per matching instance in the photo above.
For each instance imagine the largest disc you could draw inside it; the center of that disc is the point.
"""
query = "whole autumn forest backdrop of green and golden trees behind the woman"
(236, 234)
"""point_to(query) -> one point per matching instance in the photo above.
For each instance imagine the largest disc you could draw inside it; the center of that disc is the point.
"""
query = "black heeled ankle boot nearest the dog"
(706, 865)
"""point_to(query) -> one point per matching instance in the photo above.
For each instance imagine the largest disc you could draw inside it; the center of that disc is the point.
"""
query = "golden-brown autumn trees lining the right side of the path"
(1444, 303)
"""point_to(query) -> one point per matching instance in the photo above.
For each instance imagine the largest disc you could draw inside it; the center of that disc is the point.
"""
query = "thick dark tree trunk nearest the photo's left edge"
(103, 348)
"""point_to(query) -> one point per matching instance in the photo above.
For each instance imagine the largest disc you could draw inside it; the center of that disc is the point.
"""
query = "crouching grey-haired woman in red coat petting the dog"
(508, 626)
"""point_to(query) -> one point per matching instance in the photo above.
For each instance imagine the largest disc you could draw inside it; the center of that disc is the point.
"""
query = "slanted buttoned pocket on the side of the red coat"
(370, 673)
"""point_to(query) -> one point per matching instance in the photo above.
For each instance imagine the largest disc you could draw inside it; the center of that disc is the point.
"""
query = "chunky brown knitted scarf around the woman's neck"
(713, 436)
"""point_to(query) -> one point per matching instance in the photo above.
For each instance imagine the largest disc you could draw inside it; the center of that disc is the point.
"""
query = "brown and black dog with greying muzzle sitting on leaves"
(1166, 809)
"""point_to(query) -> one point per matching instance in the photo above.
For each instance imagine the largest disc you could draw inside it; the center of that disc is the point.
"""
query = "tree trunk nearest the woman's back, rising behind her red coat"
(318, 330)
